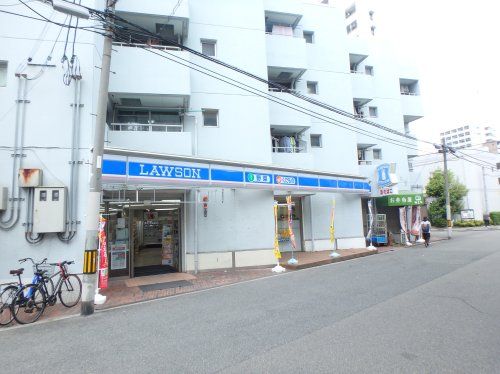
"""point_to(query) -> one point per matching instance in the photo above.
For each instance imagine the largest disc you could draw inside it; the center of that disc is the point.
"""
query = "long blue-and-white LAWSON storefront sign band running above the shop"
(130, 170)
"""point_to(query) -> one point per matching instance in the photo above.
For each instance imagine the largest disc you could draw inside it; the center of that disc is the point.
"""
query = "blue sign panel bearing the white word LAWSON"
(181, 172)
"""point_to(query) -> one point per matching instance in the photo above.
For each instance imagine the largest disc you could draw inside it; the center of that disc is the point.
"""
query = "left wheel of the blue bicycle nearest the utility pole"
(29, 303)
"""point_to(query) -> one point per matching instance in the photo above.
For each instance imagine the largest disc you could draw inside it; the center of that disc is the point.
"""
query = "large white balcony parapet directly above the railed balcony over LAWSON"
(139, 72)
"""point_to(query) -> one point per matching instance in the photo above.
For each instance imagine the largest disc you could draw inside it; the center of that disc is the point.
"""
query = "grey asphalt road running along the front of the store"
(414, 310)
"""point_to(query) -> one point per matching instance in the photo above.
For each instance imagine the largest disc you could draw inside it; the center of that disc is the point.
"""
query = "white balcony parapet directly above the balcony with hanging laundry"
(280, 115)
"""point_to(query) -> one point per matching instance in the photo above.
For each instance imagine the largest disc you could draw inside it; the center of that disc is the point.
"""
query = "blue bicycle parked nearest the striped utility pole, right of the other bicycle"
(31, 300)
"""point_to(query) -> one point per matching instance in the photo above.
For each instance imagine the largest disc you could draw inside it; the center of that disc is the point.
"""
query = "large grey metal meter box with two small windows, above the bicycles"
(49, 210)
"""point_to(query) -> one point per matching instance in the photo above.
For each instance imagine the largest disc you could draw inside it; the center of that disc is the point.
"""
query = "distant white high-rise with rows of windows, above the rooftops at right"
(469, 135)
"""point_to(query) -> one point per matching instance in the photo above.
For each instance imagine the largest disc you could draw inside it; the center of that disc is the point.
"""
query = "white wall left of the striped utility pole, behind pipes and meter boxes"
(48, 127)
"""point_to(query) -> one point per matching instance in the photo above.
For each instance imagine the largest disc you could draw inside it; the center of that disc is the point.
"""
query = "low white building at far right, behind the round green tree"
(483, 183)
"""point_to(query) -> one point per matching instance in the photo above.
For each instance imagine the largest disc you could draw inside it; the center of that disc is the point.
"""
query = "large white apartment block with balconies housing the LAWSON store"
(193, 166)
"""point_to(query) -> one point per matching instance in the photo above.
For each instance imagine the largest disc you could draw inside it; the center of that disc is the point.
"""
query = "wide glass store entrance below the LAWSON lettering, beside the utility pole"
(144, 236)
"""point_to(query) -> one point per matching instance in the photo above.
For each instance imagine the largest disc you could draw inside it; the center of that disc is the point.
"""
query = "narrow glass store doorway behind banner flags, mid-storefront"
(283, 227)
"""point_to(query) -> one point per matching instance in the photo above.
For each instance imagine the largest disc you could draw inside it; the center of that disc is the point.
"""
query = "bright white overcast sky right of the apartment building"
(456, 47)
